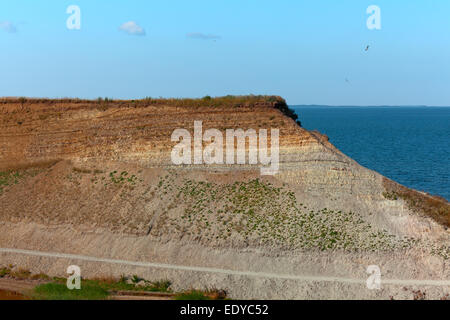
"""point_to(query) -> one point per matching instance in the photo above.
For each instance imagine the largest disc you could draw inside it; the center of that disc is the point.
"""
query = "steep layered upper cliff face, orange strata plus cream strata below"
(139, 133)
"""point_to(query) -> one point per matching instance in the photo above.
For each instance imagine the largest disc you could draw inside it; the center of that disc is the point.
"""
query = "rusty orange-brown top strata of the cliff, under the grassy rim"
(133, 132)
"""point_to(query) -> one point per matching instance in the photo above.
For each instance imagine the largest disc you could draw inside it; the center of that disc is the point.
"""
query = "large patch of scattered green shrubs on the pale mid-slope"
(257, 212)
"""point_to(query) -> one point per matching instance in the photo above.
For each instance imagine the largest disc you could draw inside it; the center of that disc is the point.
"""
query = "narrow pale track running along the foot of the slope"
(222, 271)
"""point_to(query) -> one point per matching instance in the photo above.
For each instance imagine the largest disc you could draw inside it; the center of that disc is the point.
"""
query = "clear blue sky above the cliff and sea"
(309, 52)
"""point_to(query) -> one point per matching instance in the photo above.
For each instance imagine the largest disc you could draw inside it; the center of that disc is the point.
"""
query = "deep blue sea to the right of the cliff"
(410, 145)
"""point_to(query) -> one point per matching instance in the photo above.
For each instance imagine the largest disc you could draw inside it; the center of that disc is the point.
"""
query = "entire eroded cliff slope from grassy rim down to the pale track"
(96, 178)
